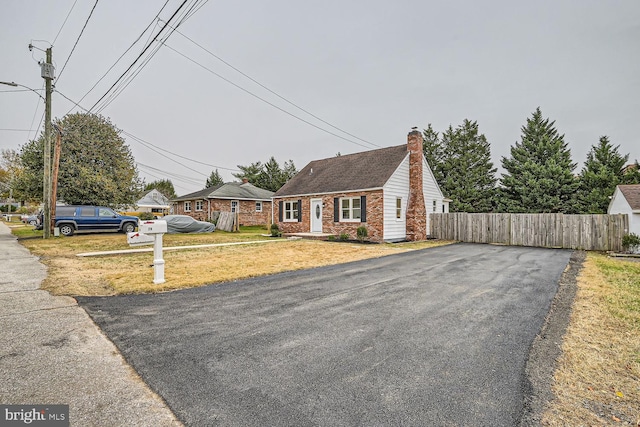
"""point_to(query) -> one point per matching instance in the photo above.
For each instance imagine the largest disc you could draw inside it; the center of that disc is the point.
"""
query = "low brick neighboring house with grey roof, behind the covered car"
(253, 204)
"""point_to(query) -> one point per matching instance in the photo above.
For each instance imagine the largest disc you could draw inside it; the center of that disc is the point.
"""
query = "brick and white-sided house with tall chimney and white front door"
(390, 191)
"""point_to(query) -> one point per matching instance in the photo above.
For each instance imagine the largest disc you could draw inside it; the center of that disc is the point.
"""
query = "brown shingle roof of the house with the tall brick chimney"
(359, 171)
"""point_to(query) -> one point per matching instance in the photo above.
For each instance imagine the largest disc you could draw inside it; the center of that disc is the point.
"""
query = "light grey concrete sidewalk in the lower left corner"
(53, 353)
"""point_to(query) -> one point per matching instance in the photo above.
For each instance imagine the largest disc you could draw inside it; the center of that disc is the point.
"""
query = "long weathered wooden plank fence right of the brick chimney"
(587, 232)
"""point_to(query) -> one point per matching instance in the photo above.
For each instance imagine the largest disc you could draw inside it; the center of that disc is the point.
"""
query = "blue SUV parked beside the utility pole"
(71, 219)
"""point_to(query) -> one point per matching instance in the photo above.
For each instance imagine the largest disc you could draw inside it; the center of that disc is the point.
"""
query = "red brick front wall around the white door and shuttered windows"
(374, 213)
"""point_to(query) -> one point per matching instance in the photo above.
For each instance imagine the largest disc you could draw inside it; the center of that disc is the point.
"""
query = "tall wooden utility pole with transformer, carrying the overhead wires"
(47, 73)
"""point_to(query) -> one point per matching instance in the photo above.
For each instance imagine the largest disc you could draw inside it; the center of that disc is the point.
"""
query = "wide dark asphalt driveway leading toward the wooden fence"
(433, 337)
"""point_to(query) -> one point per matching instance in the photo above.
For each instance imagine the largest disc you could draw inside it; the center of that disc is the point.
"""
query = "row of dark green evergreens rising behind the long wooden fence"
(539, 174)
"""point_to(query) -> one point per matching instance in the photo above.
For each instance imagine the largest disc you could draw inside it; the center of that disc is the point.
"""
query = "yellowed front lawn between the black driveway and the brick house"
(133, 273)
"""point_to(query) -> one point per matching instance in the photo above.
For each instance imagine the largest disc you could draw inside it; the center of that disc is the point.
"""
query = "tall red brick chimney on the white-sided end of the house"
(416, 210)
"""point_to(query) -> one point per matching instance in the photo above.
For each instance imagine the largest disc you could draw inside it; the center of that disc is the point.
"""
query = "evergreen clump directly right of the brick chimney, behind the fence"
(461, 163)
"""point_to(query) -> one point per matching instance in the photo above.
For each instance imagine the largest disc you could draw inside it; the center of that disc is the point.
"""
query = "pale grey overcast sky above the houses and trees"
(371, 68)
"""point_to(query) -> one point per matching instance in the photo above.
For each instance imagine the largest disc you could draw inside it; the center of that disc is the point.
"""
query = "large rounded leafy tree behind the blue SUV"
(96, 165)
